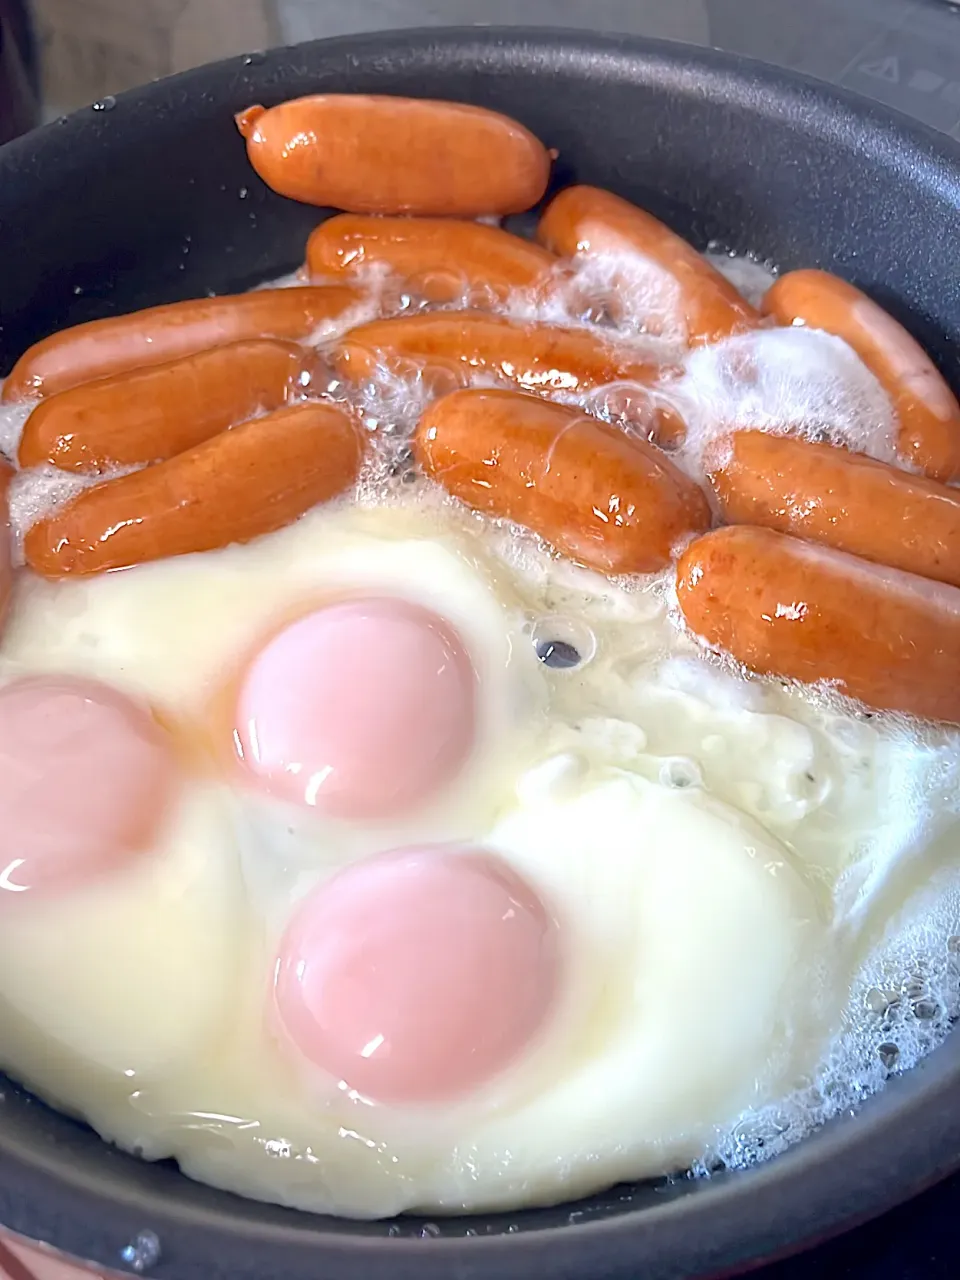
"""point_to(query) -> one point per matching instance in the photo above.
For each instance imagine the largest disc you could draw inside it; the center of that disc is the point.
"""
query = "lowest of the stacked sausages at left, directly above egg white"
(244, 483)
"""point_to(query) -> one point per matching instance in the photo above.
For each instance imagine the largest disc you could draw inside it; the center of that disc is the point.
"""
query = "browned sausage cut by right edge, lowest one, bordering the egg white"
(784, 607)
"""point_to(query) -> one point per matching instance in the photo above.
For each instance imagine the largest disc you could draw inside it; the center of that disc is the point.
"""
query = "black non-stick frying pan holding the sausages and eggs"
(150, 200)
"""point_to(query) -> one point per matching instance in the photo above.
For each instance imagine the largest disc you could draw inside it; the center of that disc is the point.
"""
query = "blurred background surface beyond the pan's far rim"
(904, 53)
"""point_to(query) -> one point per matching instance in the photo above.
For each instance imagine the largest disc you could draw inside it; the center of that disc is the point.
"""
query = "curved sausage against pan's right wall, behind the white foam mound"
(927, 410)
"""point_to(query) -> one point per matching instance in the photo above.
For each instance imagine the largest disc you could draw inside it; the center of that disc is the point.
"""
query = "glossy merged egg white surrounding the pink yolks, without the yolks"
(687, 829)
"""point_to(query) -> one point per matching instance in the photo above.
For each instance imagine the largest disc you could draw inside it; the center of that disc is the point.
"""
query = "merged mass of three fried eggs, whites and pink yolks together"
(583, 920)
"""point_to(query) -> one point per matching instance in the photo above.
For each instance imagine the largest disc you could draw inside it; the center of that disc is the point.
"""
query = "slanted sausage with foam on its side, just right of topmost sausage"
(584, 221)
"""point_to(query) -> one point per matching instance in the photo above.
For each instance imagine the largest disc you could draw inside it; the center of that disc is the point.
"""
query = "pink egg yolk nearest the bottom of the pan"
(418, 976)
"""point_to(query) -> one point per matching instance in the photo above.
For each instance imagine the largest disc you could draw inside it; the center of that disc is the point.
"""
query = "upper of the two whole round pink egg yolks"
(362, 710)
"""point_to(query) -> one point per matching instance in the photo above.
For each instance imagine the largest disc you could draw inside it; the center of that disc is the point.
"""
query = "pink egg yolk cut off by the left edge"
(85, 779)
